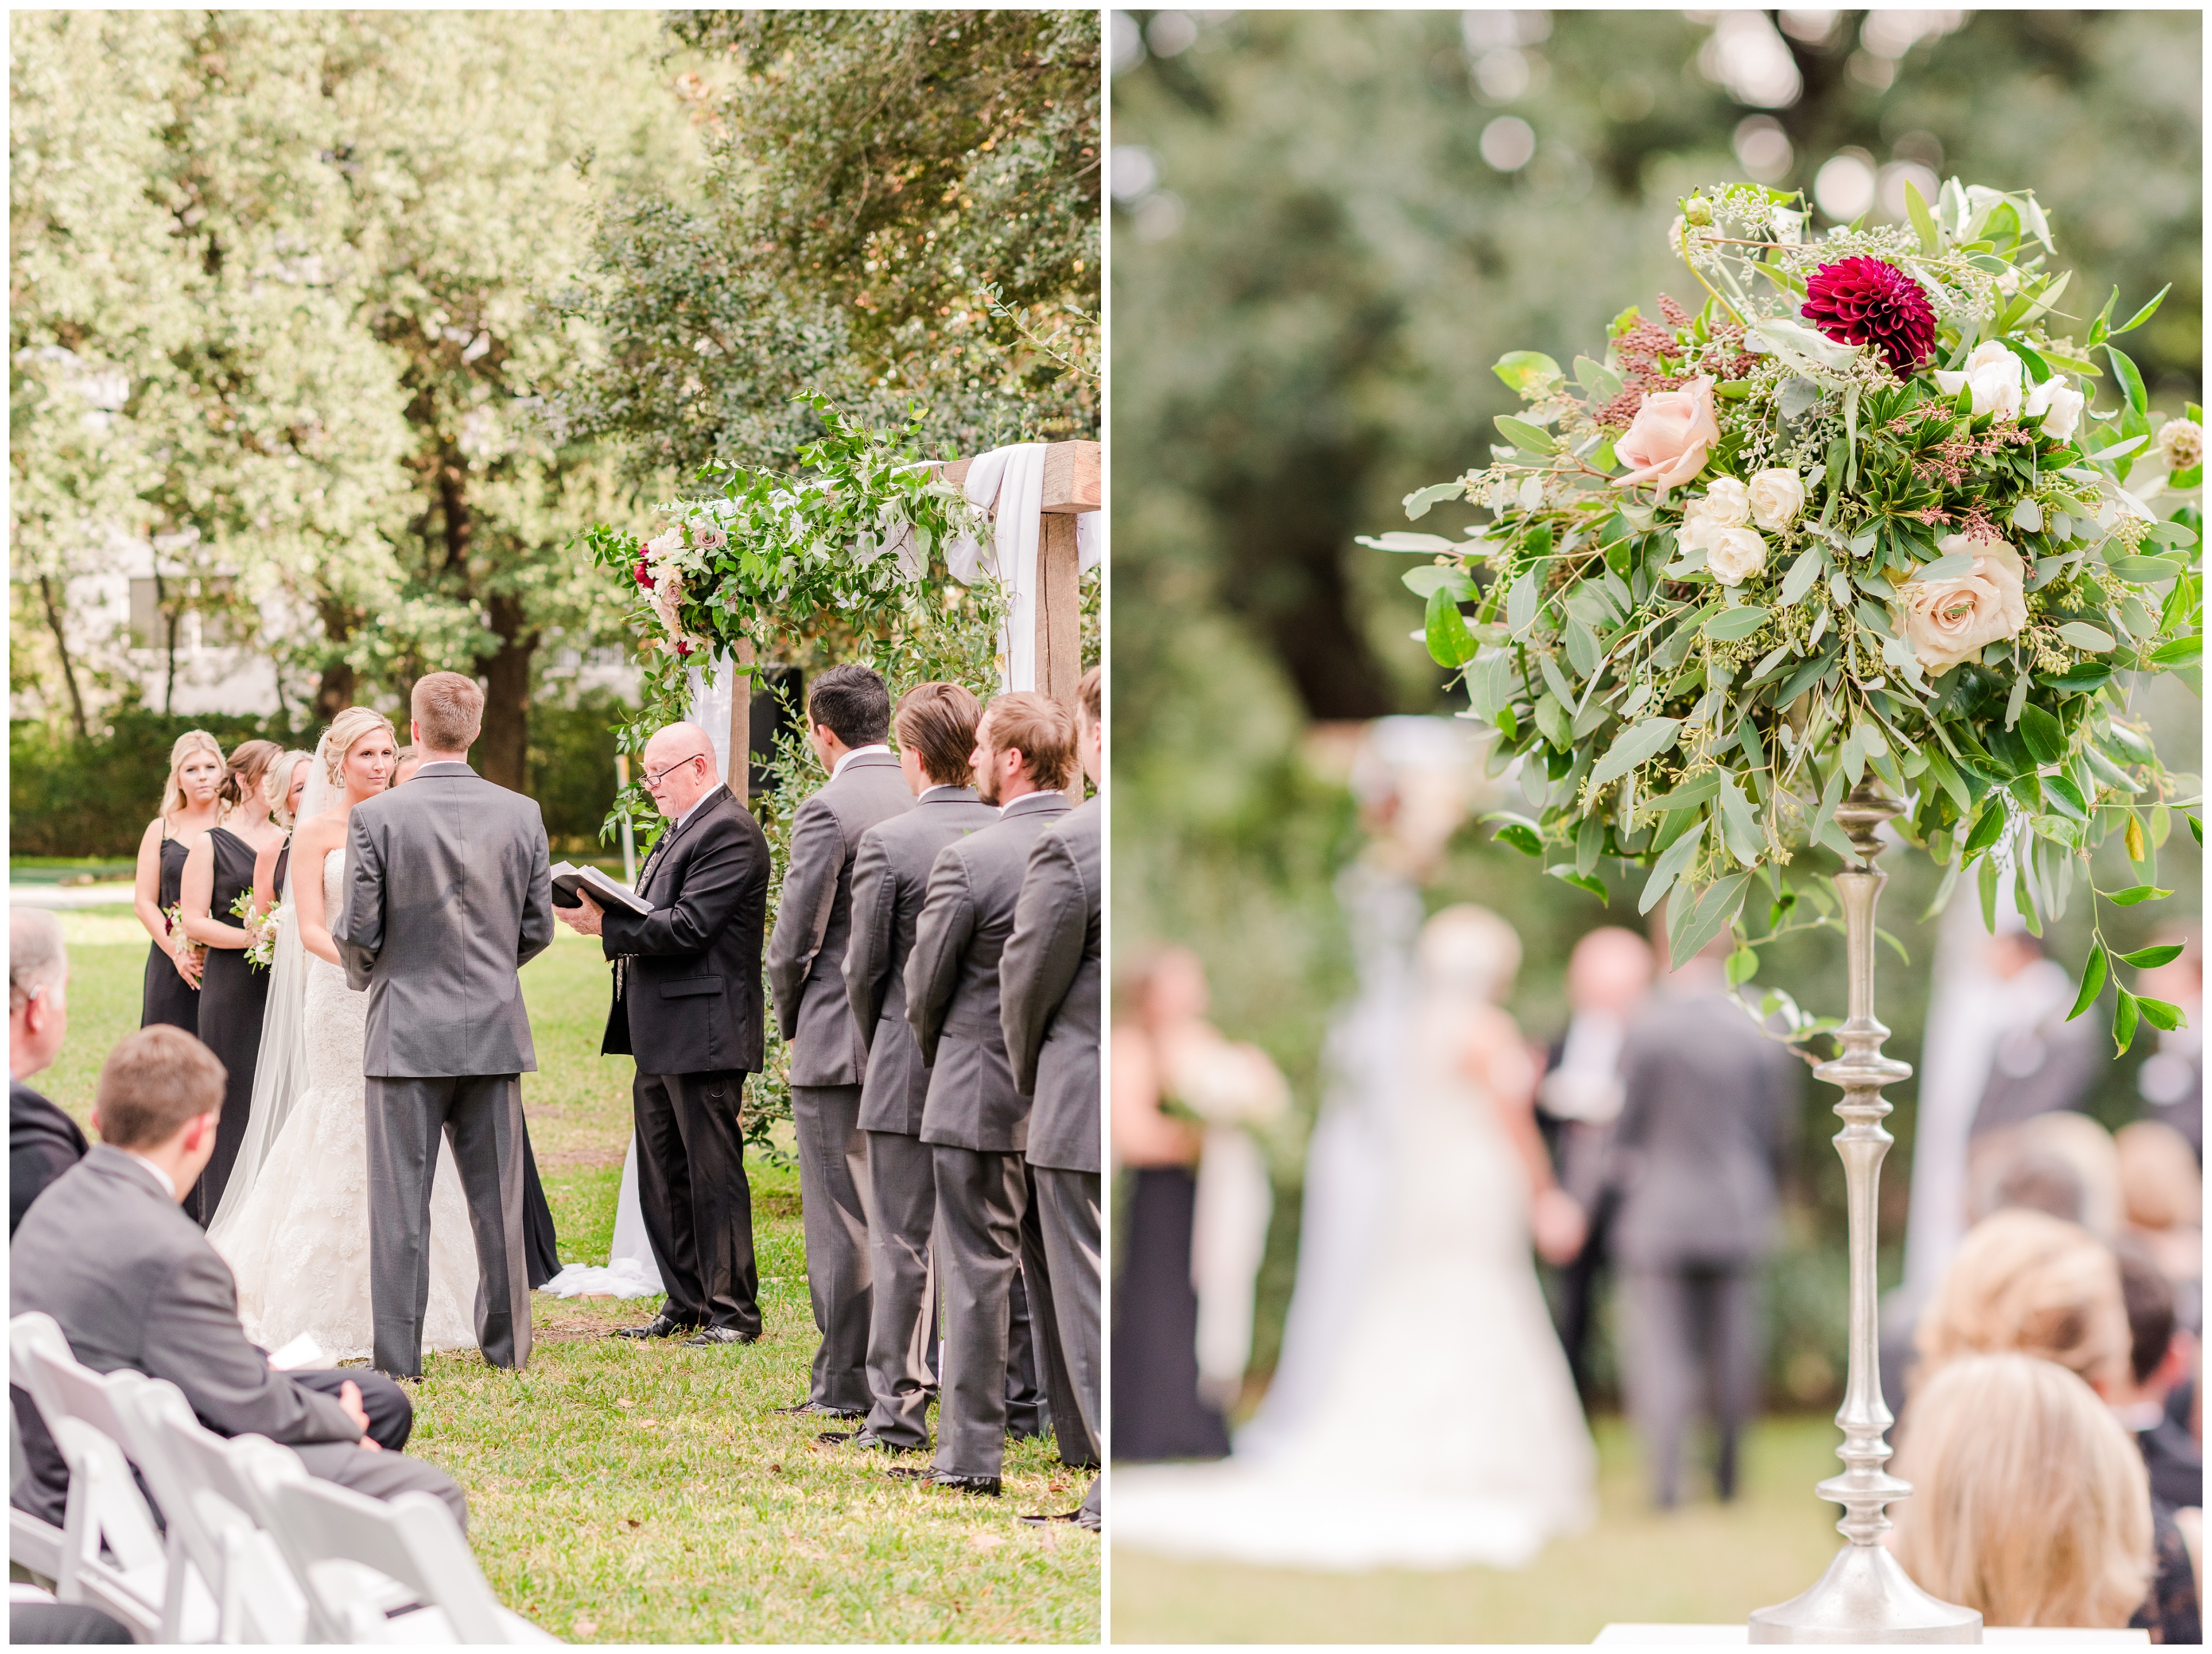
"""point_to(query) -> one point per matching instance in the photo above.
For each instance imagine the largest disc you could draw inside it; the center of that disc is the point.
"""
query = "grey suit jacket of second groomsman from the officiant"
(890, 877)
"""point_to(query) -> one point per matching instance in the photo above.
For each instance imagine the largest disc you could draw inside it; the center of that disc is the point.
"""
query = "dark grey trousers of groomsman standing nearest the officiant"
(835, 1191)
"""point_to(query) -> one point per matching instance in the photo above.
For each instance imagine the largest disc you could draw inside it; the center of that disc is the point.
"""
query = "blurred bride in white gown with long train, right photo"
(1437, 1425)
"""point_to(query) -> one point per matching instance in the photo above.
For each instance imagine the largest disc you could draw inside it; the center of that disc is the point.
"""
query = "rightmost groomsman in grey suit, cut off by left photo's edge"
(1050, 1012)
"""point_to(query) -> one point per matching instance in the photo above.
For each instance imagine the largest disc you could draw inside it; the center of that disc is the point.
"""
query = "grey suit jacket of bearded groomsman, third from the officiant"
(952, 981)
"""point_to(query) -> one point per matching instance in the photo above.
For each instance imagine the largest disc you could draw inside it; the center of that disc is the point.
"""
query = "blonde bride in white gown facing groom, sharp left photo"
(295, 1219)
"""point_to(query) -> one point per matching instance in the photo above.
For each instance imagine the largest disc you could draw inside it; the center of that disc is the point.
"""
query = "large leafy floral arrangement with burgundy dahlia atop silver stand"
(1853, 519)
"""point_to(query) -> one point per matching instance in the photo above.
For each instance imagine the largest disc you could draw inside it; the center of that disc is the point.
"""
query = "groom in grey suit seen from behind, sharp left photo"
(448, 897)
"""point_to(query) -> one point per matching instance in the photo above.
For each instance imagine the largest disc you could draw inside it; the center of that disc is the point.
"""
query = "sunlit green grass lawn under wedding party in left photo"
(647, 1494)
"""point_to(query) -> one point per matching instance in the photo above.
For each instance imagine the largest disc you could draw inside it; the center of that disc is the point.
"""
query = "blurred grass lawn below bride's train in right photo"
(1702, 1564)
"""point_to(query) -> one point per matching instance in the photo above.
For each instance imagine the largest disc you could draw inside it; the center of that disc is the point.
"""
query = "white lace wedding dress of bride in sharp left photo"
(300, 1242)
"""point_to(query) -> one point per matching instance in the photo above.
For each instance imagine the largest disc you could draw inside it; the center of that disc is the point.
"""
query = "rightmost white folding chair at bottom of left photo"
(351, 1549)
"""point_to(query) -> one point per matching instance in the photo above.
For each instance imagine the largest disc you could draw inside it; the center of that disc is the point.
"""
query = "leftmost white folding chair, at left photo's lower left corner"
(107, 1516)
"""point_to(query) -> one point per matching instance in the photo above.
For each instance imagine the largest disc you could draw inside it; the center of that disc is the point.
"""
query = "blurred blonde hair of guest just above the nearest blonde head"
(2032, 1284)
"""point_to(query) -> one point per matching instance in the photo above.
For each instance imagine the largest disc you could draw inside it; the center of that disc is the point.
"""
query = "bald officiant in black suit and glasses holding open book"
(689, 1009)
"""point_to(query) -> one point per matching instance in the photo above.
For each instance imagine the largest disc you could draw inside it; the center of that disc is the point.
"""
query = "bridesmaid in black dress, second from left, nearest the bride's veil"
(233, 994)
